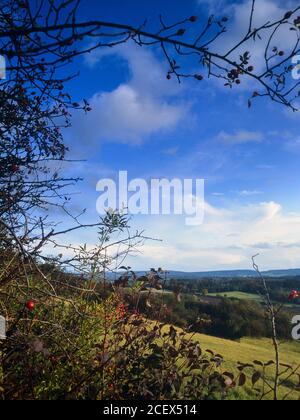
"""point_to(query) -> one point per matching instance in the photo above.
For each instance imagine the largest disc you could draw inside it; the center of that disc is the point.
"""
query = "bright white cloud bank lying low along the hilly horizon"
(227, 239)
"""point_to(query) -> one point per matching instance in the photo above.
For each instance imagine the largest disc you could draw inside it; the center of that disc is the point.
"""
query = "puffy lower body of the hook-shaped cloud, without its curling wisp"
(127, 116)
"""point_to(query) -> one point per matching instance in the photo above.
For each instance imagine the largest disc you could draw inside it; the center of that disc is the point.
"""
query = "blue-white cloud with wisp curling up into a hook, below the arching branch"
(135, 110)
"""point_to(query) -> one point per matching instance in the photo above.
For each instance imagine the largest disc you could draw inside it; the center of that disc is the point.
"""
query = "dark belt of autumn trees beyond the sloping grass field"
(221, 317)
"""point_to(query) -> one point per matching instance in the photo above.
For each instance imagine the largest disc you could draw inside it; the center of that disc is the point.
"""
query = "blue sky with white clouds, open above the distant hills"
(155, 128)
